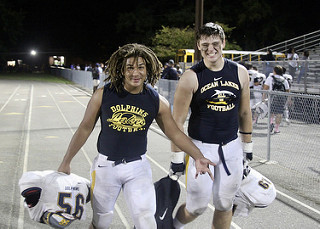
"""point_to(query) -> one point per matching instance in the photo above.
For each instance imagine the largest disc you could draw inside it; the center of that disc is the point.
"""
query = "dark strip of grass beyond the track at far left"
(43, 77)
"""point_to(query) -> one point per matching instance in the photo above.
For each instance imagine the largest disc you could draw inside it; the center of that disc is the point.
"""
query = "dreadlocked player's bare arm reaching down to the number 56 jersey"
(84, 130)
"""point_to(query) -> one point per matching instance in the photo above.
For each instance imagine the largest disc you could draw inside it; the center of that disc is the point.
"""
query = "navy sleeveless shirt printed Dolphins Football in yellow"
(125, 120)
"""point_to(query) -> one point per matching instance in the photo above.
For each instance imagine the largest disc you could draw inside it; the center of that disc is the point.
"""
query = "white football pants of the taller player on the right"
(224, 187)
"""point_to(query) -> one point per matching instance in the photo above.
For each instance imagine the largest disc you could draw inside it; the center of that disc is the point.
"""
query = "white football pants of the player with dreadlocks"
(135, 179)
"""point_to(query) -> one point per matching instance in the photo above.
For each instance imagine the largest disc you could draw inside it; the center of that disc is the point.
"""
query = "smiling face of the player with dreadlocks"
(135, 74)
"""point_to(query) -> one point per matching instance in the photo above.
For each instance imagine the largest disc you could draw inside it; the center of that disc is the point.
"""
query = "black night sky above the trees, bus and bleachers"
(90, 29)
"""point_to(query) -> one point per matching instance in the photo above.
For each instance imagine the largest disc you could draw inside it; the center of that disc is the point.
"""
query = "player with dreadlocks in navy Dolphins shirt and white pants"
(127, 106)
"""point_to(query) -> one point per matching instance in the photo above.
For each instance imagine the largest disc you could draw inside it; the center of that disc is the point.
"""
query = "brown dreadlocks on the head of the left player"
(117, 62)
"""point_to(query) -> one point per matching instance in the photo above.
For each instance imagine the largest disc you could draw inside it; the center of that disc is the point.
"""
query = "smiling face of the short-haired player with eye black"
(211, 48)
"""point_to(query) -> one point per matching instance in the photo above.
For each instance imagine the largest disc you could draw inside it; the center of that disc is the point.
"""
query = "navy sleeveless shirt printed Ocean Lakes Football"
(214, 106)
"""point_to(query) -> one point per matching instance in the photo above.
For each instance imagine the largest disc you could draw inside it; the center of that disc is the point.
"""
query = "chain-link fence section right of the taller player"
(293, 153)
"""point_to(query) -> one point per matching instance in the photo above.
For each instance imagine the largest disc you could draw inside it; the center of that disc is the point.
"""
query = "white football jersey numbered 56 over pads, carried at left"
(59, 193)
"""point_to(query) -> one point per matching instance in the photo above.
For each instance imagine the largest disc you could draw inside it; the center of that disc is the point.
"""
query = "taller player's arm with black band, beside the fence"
(245, 115)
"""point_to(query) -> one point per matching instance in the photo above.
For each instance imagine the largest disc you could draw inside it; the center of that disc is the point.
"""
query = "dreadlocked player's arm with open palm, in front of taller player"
(171, 130)
